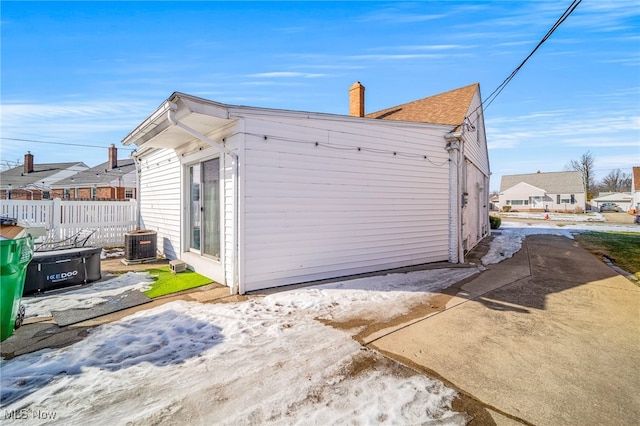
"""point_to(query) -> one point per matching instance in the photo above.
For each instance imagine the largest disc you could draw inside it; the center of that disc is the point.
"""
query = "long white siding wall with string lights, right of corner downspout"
(315, 212)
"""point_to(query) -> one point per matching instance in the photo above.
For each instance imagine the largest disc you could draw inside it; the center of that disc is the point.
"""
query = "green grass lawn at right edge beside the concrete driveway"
(623, 248)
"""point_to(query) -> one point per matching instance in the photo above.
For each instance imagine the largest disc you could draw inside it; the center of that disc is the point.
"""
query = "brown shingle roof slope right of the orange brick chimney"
(445, 108)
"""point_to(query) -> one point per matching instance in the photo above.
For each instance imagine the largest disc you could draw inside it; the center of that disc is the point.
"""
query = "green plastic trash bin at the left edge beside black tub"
(14, 258)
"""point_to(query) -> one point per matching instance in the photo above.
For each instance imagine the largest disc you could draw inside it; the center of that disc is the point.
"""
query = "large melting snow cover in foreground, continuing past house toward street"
(267, 360)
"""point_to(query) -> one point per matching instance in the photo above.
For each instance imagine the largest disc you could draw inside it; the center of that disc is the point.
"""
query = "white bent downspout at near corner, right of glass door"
(236, 288)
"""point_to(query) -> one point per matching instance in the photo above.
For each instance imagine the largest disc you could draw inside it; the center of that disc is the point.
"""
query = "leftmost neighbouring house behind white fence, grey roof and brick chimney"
(32, 181)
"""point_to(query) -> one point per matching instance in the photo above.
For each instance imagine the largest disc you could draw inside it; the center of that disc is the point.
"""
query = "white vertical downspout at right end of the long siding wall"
(456, 253)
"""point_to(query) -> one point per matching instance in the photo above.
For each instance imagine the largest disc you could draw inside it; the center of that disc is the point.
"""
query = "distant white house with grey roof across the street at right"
(553, 192)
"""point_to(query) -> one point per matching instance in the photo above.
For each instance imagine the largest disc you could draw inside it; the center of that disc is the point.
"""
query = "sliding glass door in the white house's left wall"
(204, 223)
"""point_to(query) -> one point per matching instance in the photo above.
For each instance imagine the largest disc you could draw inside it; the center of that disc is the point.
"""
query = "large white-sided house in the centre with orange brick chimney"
(257, 198)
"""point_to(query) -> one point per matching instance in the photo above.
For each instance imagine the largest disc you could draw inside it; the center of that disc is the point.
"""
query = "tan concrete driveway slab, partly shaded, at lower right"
(548, 337)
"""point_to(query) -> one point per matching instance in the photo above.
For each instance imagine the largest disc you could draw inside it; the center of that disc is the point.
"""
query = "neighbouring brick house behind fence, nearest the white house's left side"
(112, 180)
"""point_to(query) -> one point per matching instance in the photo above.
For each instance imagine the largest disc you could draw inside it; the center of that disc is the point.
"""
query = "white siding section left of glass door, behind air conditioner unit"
(160, 199)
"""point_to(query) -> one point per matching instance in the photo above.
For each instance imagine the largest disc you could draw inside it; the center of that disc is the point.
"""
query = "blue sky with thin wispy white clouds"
(87, 73)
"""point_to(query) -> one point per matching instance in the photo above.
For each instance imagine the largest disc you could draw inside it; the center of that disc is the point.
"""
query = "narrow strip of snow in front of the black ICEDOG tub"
(85, 296)
